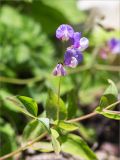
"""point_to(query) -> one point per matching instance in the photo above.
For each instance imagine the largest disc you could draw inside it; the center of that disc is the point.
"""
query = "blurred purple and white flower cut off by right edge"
(114, 46)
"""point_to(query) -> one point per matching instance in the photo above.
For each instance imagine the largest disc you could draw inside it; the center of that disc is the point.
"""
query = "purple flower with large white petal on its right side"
(80, 43)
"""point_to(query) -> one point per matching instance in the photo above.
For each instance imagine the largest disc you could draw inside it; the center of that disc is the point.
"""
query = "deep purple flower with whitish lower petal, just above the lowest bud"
(72, 57)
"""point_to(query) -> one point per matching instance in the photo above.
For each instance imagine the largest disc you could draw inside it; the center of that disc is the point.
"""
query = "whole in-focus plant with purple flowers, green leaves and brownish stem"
(54, 122)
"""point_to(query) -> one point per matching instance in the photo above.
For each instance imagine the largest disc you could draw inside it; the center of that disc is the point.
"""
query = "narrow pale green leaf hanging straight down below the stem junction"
(55, 142)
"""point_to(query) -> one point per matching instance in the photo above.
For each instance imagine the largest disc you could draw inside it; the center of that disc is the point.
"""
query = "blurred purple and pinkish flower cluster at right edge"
(112, 46)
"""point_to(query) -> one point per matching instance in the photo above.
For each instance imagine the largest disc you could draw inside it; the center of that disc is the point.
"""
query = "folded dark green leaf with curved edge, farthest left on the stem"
(29, 104)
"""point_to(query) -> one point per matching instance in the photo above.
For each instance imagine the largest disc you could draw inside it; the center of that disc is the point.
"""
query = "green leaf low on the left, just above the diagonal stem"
(32, 130)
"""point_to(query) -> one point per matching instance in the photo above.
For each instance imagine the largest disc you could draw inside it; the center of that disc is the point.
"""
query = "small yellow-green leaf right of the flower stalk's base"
(67, 126)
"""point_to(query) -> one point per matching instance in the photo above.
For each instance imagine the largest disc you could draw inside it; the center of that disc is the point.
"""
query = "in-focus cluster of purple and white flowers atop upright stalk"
(73, 55)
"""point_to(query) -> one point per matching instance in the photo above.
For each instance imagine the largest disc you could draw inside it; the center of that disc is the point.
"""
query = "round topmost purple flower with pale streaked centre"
(64, 32)
